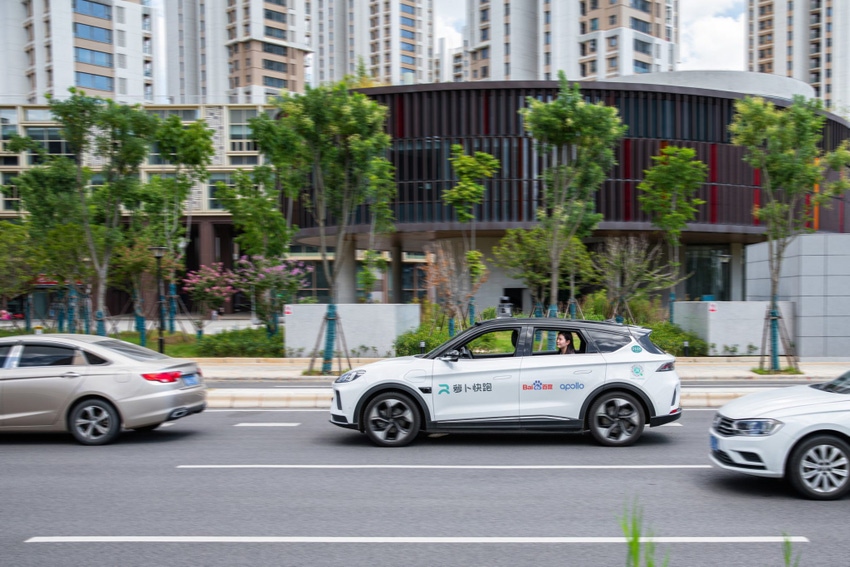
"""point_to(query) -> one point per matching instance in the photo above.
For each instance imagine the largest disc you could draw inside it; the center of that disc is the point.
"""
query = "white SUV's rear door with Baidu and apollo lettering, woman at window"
(554, 386)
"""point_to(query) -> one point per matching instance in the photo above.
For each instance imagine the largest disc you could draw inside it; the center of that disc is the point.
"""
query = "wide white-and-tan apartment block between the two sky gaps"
(587, 39)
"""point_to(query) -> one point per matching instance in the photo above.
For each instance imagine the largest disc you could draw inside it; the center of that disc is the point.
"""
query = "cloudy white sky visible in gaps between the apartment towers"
(712, 31)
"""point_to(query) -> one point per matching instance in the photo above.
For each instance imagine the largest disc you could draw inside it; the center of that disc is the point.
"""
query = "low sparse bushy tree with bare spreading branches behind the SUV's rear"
(631, 268)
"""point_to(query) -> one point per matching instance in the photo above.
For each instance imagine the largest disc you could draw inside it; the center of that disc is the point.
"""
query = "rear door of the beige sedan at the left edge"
(36, 389)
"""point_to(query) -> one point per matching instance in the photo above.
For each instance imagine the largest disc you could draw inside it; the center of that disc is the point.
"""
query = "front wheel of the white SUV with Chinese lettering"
(391, 419)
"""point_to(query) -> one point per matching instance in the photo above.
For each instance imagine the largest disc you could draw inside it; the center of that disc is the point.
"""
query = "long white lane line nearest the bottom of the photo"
(396, 540)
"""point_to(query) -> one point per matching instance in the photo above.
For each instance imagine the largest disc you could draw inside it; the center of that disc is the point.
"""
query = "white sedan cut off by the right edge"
(801, 433)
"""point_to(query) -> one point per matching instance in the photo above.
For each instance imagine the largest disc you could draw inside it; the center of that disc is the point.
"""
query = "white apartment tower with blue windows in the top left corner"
(104, 48)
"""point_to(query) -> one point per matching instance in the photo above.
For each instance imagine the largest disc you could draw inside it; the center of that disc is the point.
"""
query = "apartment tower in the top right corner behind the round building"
(801, 39)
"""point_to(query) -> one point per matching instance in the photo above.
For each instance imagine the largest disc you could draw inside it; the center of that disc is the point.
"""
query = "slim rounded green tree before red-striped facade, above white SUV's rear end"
(667, 195)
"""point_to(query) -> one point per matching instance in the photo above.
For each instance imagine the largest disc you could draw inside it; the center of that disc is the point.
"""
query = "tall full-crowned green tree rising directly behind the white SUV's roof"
(577, 141)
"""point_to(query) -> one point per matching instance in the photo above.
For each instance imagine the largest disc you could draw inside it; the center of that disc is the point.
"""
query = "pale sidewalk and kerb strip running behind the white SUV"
(284, 376)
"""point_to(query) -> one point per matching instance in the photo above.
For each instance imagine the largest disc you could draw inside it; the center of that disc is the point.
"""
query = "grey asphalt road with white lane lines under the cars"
(286, 487)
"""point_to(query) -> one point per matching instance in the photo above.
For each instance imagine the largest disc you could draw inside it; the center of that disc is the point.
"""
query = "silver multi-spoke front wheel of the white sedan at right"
(819, 468)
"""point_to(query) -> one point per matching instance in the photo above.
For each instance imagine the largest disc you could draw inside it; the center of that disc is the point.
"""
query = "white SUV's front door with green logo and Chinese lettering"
(479, 389)
